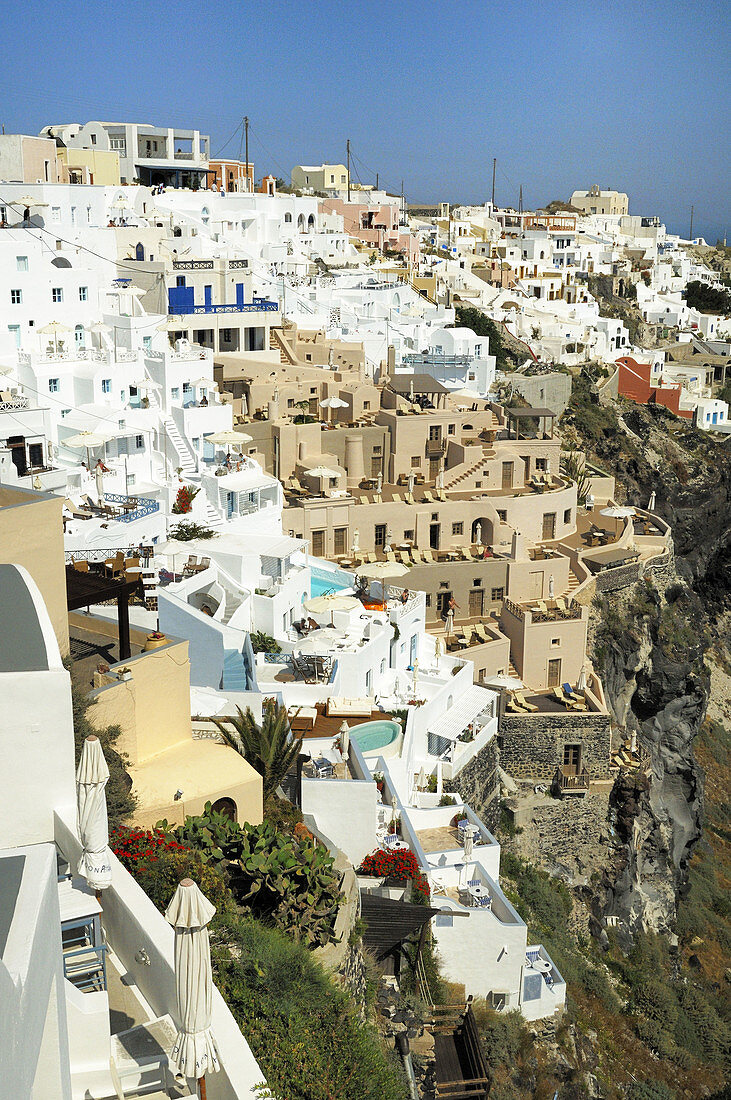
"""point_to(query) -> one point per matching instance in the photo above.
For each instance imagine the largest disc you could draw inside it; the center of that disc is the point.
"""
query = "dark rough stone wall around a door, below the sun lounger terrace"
(533, 746)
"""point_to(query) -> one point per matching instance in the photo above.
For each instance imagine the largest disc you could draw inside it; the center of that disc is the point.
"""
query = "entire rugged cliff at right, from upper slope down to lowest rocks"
(651, 647)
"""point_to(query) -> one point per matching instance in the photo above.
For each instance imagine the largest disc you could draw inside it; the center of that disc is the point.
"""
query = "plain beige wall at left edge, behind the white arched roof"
(32, 535)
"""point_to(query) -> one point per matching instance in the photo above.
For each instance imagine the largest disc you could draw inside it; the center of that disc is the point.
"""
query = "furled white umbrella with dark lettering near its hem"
(92, 776)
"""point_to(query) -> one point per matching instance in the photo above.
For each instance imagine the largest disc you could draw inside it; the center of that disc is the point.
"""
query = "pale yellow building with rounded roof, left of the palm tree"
(174, 773)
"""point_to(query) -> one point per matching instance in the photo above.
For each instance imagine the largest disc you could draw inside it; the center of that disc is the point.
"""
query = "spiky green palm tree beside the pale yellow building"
(271, 749)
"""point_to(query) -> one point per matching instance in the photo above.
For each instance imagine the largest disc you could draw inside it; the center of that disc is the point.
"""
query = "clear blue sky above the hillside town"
(629, 95)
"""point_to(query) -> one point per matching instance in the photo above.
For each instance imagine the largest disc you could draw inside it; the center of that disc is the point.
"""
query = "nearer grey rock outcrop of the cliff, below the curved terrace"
(659, 695)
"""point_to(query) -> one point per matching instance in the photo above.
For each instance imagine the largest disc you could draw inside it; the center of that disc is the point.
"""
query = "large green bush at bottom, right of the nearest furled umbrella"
(304, 1031)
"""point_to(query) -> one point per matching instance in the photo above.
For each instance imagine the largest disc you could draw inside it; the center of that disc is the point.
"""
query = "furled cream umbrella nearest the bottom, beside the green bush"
(195, 1052)
